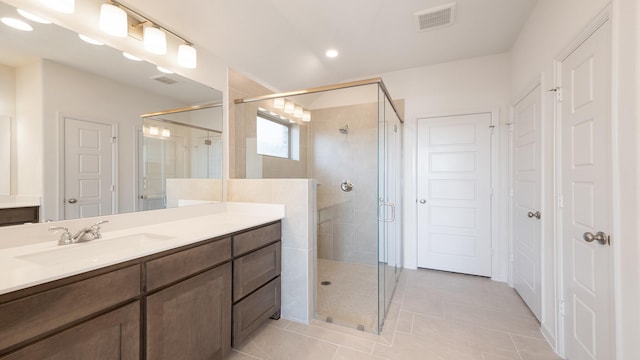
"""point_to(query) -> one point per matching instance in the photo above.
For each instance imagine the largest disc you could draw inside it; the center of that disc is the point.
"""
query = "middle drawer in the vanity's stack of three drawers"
(255, 269)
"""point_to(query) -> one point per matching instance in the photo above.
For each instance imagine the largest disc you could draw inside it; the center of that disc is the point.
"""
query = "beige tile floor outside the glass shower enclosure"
(435, 315)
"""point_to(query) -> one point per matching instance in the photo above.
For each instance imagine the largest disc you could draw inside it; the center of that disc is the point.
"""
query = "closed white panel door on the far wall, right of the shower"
(454, 193)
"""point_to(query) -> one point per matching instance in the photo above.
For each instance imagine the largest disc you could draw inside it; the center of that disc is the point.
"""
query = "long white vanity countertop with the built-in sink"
(29, 265)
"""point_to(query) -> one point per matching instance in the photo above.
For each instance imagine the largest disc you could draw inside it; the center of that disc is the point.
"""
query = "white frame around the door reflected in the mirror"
(61, 155)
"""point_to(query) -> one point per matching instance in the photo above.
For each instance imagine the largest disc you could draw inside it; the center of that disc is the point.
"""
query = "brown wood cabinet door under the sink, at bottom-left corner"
(112, 336)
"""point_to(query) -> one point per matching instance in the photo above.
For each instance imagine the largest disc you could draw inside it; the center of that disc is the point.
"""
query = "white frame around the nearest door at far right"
(595, 24)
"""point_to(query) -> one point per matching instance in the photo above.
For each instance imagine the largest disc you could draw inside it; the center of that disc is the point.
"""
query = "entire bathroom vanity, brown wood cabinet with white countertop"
(187, 301)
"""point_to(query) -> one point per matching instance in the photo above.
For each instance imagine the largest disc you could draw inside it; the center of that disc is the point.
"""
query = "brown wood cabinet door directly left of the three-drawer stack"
(191, 319)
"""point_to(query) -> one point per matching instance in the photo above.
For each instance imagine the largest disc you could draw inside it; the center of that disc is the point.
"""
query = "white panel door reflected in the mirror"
(88, 173)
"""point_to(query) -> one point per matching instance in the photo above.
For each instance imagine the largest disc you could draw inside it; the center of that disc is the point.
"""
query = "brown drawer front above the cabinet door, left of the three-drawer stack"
(174, 267)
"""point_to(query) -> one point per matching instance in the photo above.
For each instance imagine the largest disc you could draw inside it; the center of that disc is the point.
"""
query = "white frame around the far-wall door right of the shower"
(499, 258)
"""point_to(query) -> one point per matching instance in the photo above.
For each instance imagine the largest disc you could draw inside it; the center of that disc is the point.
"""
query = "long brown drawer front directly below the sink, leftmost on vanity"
(40, 313)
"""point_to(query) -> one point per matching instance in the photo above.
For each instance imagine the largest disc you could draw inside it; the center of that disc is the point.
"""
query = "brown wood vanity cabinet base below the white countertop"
(188, 303)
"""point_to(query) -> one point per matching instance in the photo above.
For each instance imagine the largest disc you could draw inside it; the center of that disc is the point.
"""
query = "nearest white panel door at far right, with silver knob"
(586, 190)
